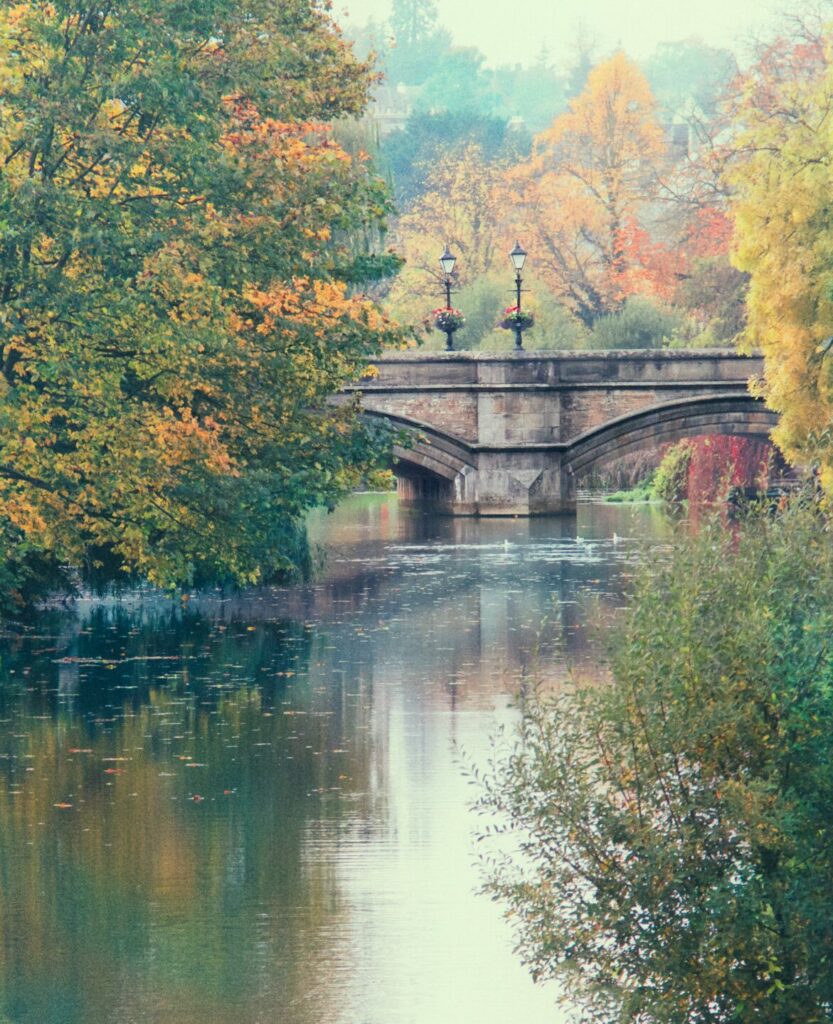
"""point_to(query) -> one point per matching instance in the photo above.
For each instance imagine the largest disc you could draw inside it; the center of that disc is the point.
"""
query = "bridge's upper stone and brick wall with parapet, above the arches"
(545, 398)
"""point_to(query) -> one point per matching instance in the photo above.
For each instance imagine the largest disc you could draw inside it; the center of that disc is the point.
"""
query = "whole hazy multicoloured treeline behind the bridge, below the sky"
(612, 173)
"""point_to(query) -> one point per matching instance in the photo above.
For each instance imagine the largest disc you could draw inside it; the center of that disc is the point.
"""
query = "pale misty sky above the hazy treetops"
(514, 32)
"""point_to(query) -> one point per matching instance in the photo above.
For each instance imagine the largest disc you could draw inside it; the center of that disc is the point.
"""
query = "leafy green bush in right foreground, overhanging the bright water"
(675, 860)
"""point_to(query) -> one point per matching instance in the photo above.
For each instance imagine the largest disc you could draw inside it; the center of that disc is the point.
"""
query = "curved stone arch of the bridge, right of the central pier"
(738, 413)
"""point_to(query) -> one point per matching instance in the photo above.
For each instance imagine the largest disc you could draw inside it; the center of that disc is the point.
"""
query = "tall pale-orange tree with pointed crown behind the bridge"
(587, 189)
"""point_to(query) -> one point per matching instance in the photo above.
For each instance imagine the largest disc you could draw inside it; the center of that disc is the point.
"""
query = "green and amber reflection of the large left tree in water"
(175, 884)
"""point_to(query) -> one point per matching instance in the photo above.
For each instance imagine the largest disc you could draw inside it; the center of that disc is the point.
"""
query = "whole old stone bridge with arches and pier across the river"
(513, 435)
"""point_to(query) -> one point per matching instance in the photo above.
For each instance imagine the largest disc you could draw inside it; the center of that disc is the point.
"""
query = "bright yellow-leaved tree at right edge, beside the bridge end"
(784, 234)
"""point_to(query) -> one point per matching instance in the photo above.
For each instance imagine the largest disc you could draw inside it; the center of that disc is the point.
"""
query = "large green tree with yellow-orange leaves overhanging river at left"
(176, 220)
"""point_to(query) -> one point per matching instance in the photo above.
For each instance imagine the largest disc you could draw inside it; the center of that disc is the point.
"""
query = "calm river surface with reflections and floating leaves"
(253, 808)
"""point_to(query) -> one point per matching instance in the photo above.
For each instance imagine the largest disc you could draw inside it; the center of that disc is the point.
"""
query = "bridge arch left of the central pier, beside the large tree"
(433, 470)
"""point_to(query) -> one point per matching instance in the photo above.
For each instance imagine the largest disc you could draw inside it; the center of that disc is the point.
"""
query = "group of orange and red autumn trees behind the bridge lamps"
(608, 209)
